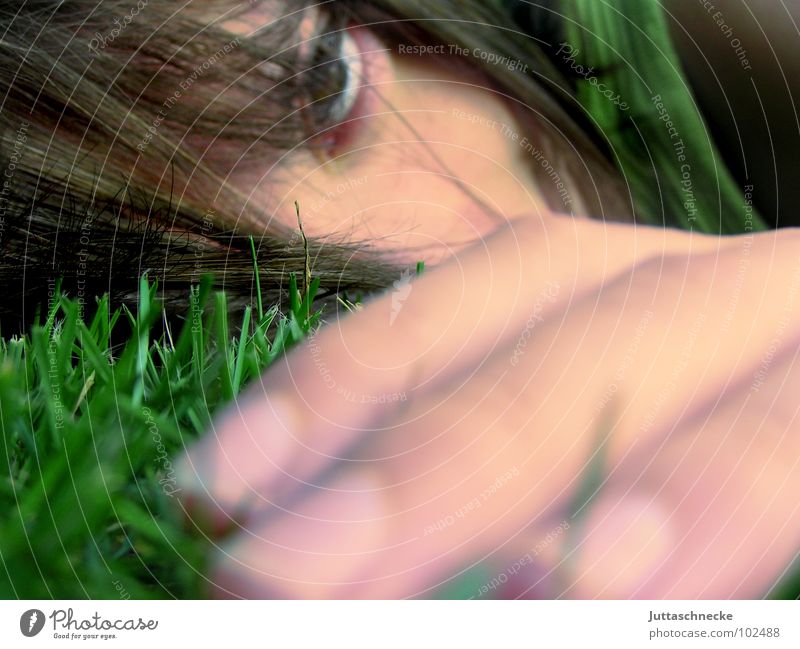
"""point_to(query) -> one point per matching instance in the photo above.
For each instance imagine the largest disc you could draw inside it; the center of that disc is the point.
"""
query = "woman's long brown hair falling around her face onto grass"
(109, 109)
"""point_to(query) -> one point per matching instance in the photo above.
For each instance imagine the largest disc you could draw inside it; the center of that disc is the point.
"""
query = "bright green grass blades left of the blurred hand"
(87, 488)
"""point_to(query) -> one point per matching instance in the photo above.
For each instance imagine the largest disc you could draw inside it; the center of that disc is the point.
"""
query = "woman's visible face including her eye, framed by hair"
(387, 175)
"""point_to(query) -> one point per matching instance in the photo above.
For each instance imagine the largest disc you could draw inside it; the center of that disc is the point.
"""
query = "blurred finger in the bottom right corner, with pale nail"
(714, 513)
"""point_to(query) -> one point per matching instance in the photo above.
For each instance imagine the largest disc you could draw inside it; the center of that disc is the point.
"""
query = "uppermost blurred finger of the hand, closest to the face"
(362, 369)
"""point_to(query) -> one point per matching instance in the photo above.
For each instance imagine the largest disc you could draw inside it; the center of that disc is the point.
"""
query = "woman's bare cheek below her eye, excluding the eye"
(412, 182)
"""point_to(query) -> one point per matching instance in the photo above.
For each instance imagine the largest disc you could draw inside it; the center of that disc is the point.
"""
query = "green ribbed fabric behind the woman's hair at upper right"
(627, 44)
